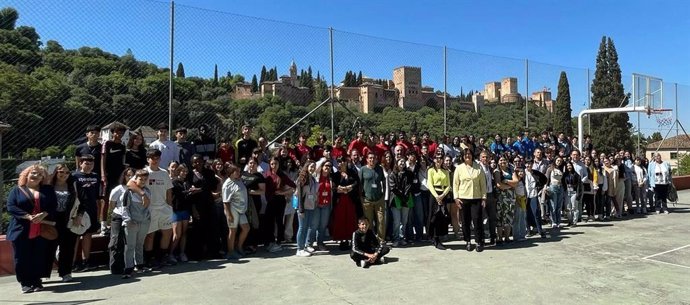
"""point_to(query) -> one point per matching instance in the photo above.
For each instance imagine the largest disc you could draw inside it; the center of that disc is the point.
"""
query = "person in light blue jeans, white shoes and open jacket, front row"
(306, 193)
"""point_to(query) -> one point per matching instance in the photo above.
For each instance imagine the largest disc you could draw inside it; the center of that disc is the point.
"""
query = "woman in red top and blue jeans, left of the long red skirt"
(324, 198)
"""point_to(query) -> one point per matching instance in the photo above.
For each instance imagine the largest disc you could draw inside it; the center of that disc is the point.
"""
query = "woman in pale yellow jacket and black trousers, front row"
(469, 191)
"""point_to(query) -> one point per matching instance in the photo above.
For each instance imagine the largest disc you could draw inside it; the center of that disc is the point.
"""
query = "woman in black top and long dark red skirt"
(346, 186)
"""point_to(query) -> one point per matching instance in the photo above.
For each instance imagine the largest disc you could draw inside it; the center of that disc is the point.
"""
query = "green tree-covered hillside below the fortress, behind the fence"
(49, 94)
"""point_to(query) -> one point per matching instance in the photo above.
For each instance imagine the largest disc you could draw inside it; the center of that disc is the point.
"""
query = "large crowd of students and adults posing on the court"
(369, 195)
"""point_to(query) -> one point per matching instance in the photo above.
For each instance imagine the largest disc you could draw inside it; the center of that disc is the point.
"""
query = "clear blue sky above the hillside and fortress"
(487, 40)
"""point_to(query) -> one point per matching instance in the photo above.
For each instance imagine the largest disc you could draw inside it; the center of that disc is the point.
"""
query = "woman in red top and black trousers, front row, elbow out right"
(278, 185)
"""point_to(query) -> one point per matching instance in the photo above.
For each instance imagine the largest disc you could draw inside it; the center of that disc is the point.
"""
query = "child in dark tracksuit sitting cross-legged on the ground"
(366, 248)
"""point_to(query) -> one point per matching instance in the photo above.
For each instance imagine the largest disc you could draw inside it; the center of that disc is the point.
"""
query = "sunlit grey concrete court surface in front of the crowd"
(642, 260)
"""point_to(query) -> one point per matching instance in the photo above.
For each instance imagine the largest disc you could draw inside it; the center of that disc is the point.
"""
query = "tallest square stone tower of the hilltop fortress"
(408, 81)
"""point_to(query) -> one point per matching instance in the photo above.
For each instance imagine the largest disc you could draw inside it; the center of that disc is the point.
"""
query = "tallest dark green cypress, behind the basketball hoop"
(611, 131)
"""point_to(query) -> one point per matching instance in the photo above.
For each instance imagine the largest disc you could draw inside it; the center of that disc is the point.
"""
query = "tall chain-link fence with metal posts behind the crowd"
(63, 69)
